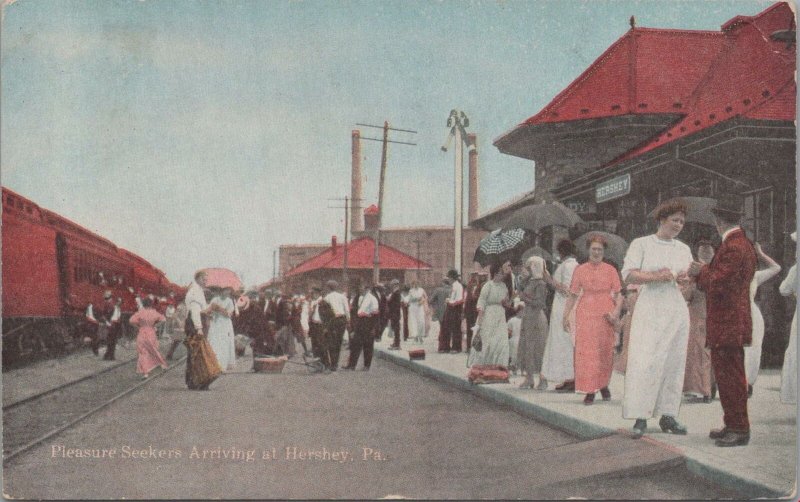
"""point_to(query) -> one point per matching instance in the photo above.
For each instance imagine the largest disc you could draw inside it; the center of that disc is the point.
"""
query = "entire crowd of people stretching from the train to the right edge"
(677, 324)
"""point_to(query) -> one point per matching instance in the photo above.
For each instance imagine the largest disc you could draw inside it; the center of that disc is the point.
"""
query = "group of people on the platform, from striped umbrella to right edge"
(678, 325)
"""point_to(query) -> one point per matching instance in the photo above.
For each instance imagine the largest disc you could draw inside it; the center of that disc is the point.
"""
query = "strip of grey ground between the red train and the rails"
(42, 376)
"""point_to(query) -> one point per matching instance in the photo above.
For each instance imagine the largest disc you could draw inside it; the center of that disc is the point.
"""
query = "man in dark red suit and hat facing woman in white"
(729, 326)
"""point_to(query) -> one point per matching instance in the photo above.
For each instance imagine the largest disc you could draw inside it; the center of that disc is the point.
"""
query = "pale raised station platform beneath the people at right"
(766, 467)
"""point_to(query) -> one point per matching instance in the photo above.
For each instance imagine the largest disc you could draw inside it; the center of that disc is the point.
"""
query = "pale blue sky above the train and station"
(199, 133)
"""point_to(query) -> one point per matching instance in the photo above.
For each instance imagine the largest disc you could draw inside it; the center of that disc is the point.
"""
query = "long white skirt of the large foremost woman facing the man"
(657, 356)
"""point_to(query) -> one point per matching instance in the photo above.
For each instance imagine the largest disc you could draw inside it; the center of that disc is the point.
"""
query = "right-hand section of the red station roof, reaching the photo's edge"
(751, 76)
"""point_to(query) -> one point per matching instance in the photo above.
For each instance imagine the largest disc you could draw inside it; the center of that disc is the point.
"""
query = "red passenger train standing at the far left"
(53, 269)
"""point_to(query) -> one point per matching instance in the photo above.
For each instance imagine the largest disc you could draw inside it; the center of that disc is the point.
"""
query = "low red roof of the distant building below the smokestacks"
(359, 256)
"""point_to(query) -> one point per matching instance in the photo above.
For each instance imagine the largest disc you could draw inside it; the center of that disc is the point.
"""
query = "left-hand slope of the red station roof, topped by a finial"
(646, 71)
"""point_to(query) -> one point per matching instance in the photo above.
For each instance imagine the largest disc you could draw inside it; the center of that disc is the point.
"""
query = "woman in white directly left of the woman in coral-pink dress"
(558, 362)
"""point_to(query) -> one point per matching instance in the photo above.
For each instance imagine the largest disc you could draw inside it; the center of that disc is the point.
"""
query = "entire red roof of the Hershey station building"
(701, 78)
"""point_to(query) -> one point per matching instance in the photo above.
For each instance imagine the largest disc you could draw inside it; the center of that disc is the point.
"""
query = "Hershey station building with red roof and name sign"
(664, 113)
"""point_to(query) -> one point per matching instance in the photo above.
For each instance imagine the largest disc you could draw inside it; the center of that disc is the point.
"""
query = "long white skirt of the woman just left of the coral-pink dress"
(558, 363)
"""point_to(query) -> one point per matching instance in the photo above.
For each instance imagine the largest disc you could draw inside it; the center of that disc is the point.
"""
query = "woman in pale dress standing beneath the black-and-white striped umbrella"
(491, 322)
